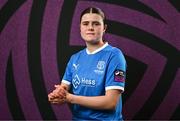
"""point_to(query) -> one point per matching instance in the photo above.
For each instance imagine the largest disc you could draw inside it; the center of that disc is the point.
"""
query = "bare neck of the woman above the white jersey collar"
(92, 47)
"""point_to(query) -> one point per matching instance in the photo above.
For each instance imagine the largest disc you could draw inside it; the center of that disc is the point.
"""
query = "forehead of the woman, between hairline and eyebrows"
(91, 17)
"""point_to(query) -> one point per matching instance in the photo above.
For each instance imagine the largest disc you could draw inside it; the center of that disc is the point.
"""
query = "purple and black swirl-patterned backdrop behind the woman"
(38, 37)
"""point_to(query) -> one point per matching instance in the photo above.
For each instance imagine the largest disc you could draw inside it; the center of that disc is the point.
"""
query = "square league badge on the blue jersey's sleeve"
(119, 75)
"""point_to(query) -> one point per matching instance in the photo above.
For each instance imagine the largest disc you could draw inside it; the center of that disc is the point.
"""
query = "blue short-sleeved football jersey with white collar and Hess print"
(92, 74)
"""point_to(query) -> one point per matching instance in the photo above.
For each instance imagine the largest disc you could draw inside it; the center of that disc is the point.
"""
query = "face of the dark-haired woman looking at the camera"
(92, 28)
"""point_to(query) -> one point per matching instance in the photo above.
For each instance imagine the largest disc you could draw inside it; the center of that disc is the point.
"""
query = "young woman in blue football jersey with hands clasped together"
(96, 74)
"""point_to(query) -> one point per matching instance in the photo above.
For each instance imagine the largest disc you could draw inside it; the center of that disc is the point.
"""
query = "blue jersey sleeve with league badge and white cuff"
(116, 72)
